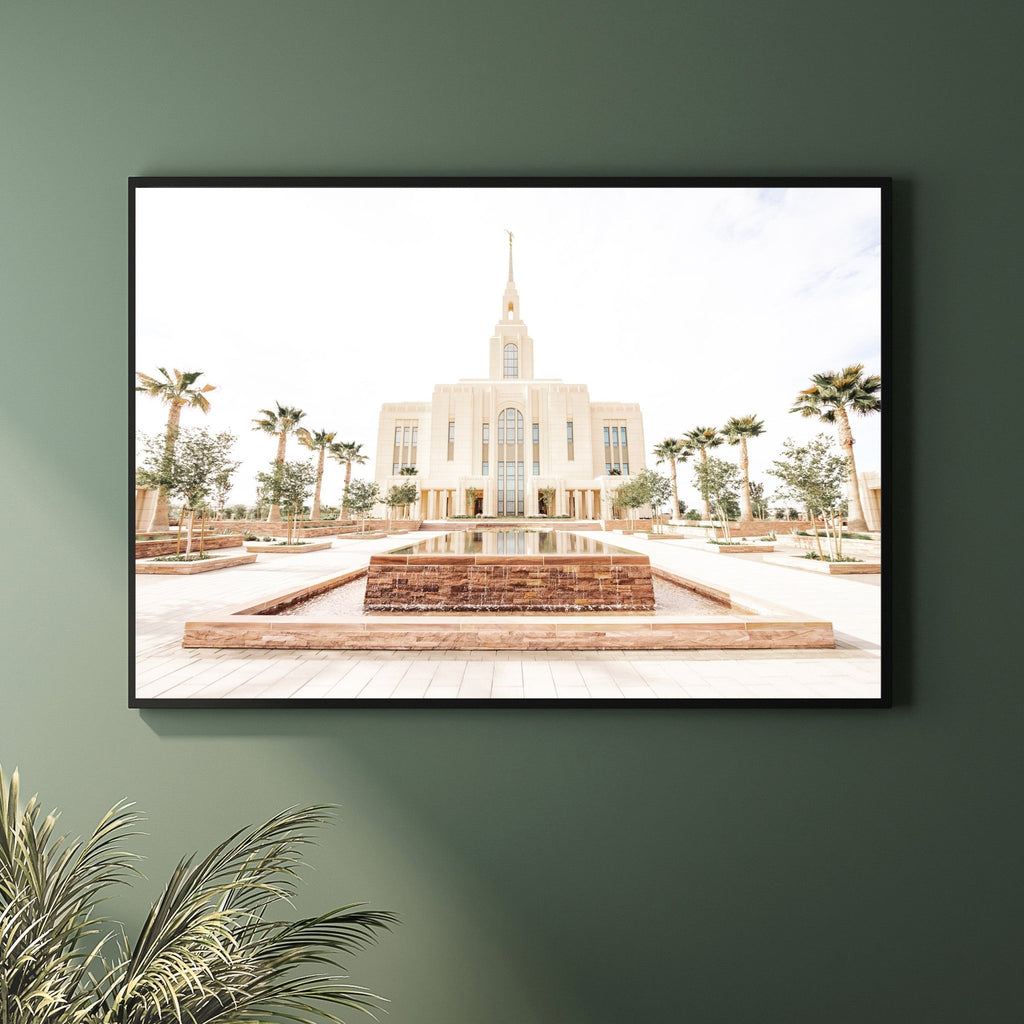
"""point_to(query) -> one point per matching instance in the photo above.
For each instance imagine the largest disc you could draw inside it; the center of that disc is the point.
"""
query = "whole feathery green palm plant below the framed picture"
(212, 949)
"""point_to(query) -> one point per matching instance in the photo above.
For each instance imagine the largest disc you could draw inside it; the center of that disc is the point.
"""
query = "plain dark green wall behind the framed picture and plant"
(550, 867)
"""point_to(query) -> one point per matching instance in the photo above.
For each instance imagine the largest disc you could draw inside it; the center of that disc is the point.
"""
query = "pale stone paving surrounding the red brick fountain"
(167, 671)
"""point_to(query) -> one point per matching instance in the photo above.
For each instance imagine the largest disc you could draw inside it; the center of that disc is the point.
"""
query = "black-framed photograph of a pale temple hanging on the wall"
(506, 442)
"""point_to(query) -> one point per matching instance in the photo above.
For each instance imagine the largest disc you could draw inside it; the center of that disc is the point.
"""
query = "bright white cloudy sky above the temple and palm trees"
(698, 304)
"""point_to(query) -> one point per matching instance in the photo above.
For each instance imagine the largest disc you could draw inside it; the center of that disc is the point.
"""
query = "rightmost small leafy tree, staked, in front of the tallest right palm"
(816, 476)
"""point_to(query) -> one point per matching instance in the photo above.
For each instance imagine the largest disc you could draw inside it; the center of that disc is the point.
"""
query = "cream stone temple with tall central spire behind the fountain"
(510, 444)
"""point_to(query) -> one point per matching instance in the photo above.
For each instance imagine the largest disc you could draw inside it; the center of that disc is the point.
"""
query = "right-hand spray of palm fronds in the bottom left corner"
(207, 951)
